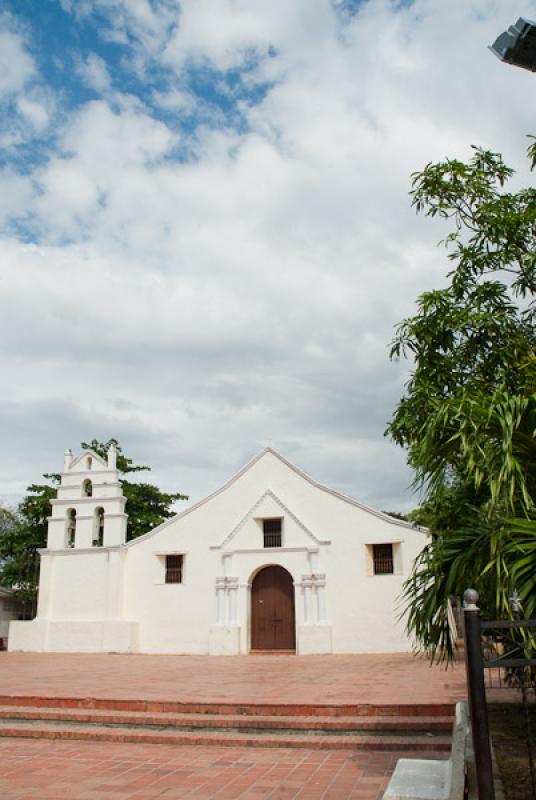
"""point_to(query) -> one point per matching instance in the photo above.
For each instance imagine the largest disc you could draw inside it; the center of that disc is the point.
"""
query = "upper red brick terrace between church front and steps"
(377, 679)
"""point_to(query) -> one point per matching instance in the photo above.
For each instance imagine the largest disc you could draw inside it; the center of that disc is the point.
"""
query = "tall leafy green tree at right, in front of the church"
(468, 414)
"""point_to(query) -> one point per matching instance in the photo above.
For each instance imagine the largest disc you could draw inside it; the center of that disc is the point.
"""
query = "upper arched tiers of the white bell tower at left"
(89, 510)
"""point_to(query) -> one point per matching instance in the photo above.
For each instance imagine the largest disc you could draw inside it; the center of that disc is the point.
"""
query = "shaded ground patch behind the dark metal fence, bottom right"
(509, 736)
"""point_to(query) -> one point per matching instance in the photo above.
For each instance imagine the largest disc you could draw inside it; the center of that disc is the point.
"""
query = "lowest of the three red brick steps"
(118, 733)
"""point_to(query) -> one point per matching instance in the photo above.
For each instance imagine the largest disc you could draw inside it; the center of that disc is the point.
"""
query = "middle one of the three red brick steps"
(228, 722)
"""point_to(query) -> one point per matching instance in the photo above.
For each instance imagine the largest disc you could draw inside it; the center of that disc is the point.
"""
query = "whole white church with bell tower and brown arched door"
(271, 561)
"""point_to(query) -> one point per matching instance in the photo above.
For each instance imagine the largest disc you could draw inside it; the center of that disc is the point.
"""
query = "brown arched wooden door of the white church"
(272, 610)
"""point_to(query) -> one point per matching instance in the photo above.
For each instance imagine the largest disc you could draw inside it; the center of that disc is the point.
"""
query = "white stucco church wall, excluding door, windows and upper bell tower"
(117, 598)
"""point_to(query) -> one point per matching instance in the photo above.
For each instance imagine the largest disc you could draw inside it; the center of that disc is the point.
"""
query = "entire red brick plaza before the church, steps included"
(70, 687)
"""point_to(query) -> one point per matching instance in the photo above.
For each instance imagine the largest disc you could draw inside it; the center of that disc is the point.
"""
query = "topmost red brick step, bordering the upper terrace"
(242, 709)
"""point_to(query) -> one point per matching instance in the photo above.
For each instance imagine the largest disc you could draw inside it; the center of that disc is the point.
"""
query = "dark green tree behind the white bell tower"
(23, 531)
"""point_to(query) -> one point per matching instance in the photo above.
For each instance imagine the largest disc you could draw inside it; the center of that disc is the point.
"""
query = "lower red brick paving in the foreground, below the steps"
(40, 770)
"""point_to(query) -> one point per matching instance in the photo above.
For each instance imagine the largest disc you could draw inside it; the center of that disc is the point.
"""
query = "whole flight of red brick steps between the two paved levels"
(423, 729)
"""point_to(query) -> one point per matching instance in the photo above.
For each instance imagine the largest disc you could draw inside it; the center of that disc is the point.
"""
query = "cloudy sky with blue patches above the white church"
(205, 231)
